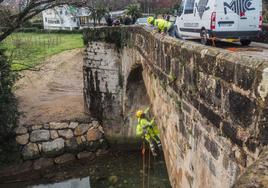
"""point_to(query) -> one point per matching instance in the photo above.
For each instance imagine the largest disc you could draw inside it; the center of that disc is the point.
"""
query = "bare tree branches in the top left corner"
(11, 19)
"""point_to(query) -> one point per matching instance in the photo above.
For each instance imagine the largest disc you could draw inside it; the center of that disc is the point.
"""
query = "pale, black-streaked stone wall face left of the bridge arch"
(102, 66)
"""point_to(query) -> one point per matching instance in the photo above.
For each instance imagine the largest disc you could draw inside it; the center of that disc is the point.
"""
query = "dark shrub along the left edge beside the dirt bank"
(8, 111)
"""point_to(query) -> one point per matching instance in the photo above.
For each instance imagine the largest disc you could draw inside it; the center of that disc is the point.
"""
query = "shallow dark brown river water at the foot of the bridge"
(115, 169)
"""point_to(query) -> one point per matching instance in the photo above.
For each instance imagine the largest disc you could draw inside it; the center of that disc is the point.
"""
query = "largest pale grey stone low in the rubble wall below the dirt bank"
(54, 147)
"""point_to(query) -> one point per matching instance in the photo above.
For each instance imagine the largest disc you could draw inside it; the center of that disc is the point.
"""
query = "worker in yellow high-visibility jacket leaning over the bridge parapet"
(162, 25)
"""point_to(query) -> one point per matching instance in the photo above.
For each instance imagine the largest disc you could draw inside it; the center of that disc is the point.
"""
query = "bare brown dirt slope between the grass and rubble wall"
(55, 92)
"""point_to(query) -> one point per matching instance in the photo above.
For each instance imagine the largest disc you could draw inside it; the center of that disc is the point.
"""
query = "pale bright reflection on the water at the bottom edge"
(73, 183)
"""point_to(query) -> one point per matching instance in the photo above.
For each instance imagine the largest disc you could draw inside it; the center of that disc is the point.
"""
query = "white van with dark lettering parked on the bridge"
(222, 19)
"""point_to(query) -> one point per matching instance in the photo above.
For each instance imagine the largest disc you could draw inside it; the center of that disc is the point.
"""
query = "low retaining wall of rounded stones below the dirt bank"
(54, 139)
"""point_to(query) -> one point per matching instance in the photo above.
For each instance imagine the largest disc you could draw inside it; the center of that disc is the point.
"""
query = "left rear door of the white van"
(226, 17)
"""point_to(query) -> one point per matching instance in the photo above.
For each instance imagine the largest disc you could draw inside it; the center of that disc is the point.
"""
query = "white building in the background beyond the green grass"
(63, 18)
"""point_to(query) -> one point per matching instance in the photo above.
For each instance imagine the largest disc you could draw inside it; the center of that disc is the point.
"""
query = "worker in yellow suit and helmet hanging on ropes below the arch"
(148, 130)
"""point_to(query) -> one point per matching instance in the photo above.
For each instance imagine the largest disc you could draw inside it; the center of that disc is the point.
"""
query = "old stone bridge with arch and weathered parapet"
(211, 105)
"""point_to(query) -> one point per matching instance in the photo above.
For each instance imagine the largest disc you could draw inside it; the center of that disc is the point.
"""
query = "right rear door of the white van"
(250, 12)
